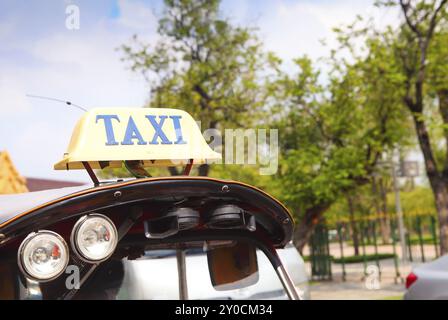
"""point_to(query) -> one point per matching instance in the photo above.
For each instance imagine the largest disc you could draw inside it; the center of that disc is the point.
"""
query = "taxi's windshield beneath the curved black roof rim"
(154, 275)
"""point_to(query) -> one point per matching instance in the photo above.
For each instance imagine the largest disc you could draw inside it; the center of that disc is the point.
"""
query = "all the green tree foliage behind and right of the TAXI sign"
(332, 133)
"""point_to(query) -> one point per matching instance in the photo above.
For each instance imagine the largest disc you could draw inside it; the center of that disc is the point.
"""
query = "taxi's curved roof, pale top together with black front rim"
(40, 209)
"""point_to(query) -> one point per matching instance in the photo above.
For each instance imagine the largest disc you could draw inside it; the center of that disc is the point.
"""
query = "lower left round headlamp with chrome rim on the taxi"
(43, 255)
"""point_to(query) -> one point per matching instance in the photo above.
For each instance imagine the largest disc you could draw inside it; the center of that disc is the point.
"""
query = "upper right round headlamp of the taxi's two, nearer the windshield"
(94, 238)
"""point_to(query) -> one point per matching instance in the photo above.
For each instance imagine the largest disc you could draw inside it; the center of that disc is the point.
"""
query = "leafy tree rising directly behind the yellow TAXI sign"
(202, 64)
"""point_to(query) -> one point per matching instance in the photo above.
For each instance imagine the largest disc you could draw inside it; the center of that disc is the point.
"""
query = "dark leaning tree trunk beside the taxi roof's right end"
(305, 227)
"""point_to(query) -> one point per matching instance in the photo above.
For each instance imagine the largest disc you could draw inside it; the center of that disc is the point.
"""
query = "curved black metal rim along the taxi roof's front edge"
(271, 213)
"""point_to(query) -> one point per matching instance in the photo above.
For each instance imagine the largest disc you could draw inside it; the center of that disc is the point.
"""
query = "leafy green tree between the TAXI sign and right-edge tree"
(334, 136)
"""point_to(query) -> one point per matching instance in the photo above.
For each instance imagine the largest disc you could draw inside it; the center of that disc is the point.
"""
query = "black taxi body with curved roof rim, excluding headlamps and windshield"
(130, 204)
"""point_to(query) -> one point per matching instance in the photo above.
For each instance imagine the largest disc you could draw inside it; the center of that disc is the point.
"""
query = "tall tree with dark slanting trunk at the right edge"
(414, 46)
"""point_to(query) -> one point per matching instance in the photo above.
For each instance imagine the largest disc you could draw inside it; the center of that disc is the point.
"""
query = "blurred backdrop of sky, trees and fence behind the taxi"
(358, 91)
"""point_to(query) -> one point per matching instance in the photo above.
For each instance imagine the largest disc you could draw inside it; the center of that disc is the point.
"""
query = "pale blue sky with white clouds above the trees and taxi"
(39, 55)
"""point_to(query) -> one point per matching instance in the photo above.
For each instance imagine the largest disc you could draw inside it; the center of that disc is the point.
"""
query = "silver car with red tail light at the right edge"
(428, 281)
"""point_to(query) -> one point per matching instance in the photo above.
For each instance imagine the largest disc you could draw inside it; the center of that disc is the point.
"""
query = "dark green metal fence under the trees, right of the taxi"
(346, 249)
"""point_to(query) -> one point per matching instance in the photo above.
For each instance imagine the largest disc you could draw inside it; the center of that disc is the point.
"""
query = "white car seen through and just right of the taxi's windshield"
(143, 280)
